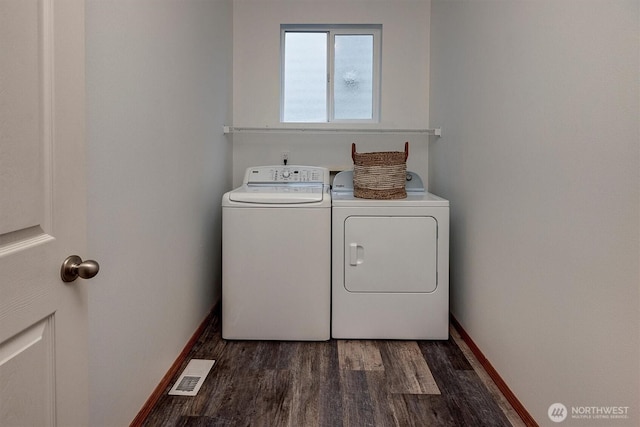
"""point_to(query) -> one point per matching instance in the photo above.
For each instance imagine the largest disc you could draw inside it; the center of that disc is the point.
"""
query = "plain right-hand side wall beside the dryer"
(539, 103)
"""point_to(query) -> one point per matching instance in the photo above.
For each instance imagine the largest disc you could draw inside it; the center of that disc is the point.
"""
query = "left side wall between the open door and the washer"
(158, 94)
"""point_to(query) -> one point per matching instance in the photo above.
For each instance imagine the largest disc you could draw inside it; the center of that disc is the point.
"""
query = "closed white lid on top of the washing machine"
(278, 194)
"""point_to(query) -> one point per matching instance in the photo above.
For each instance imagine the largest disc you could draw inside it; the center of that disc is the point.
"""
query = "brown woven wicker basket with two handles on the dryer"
(380, 175)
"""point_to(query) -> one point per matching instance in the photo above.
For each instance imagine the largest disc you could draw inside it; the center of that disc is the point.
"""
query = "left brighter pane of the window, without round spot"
(305, 77)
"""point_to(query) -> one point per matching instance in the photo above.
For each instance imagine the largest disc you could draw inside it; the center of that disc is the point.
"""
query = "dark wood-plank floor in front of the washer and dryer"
(335, 383)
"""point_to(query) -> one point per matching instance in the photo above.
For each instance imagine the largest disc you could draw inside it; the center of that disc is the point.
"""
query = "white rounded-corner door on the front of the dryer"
(390, 254)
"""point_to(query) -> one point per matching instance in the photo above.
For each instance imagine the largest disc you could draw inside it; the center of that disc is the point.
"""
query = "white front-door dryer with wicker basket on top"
(390, 264)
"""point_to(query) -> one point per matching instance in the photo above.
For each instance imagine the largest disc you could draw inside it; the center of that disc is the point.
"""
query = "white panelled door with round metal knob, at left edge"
(43, 321)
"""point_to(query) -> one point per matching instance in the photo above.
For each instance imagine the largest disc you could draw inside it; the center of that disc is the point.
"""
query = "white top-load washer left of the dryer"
(276, 255)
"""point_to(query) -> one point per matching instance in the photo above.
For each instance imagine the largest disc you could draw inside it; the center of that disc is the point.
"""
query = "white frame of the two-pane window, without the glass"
(332, 31)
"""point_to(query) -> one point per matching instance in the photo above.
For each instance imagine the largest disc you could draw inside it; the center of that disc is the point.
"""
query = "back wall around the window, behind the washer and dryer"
(256, 86)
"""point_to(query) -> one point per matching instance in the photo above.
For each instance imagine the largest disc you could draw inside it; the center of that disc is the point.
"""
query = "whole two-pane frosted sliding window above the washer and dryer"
(330, 73)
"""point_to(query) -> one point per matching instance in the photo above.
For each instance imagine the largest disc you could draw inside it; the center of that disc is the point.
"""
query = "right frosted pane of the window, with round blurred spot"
(353, 77)
